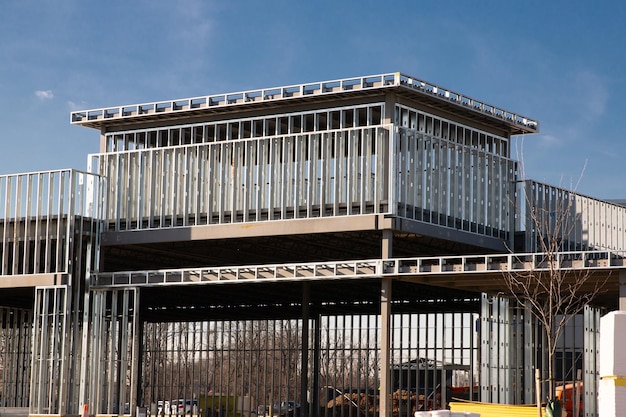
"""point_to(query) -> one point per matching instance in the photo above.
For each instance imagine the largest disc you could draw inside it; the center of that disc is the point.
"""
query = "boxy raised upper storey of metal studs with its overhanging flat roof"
(386, 144)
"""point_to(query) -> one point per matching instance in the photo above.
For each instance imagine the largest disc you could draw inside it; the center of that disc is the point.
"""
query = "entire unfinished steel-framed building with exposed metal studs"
(335, 246)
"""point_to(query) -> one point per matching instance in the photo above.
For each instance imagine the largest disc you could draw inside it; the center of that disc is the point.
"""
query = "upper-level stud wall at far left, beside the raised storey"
(39, 214)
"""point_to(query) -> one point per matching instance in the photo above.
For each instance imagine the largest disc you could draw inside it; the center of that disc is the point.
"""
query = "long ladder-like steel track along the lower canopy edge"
(373, 268)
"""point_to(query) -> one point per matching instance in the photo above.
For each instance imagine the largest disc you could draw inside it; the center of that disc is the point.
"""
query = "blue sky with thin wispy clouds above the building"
(562, 63)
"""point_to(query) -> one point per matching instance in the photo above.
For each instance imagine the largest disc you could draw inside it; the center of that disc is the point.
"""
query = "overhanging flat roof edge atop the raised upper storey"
(439, 96)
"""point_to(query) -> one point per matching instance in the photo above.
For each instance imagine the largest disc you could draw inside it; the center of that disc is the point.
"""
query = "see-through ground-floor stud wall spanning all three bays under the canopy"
(246, 364)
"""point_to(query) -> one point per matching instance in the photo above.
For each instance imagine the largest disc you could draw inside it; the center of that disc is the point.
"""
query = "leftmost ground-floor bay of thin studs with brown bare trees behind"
(254, 362)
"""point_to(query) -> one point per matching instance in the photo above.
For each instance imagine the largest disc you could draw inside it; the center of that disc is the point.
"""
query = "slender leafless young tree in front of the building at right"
(554, 285)
